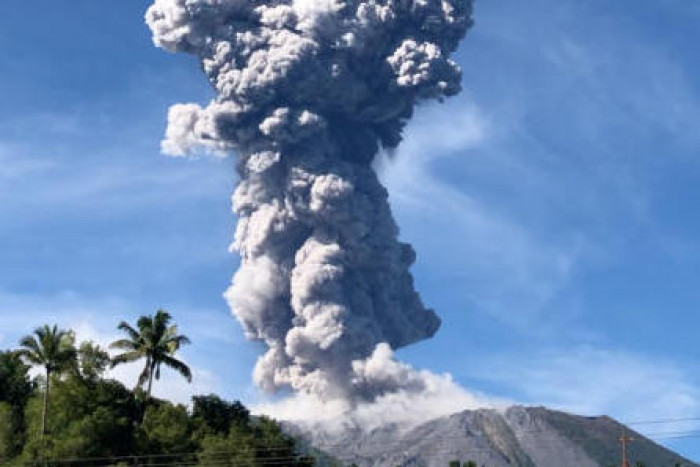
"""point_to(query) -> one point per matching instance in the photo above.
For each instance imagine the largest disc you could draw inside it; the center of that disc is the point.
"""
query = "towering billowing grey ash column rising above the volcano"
(308, 91)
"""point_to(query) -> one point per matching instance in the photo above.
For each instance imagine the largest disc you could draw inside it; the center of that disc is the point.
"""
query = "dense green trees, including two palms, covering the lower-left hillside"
(72, 415)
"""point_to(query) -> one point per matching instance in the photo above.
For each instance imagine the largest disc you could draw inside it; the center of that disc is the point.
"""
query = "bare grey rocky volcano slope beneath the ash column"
(518, 436)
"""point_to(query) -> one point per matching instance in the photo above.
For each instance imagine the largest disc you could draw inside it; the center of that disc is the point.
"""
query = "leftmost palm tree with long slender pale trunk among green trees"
(54, 350)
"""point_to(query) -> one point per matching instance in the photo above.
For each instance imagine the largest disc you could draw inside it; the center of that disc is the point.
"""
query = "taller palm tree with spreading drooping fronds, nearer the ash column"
(157, 341)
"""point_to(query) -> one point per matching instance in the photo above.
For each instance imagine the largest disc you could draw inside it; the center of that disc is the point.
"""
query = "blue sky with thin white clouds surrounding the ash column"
(552, 204)
